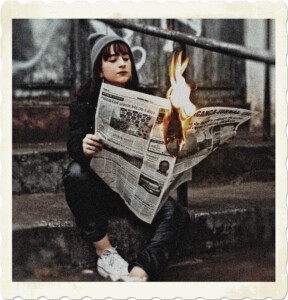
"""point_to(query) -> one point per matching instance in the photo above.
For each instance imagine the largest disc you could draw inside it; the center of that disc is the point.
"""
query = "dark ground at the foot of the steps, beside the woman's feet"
(238, 265)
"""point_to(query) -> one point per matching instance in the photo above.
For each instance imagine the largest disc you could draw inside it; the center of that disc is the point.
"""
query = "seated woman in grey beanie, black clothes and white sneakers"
(91, 201)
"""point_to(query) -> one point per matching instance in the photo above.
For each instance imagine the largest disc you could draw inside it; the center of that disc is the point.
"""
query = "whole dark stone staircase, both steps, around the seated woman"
(231, 202)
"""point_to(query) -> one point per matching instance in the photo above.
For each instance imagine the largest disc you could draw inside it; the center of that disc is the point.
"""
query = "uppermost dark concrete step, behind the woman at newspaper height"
(38, 168)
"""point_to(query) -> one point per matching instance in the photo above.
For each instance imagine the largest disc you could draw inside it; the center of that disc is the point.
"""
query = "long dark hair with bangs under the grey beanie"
(89, 90)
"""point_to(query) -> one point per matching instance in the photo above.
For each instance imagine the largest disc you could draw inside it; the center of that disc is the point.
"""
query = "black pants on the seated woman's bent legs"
(92, 202)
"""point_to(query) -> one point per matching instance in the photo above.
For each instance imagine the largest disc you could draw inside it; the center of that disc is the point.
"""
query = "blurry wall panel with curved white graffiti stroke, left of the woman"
(40, 52)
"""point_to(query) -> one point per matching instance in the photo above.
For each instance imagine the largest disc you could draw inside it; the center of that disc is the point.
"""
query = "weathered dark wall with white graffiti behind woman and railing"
(51, 59)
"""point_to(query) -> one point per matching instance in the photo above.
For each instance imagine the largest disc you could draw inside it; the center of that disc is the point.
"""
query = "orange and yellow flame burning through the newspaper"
(176, 121)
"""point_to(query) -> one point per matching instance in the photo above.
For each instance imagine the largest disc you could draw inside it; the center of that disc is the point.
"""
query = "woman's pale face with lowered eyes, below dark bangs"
(116, 70)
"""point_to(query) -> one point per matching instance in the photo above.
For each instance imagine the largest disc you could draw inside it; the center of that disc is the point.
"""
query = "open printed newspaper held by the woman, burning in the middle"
(134, 161)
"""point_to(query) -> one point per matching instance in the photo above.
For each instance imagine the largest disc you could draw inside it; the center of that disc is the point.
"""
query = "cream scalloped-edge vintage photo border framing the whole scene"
(151, 9)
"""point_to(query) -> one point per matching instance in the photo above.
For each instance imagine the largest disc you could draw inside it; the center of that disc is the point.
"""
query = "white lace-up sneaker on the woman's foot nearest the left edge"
(112, 265)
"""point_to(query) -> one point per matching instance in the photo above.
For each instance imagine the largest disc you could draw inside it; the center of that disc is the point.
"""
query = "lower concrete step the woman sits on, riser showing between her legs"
(45, 236)
